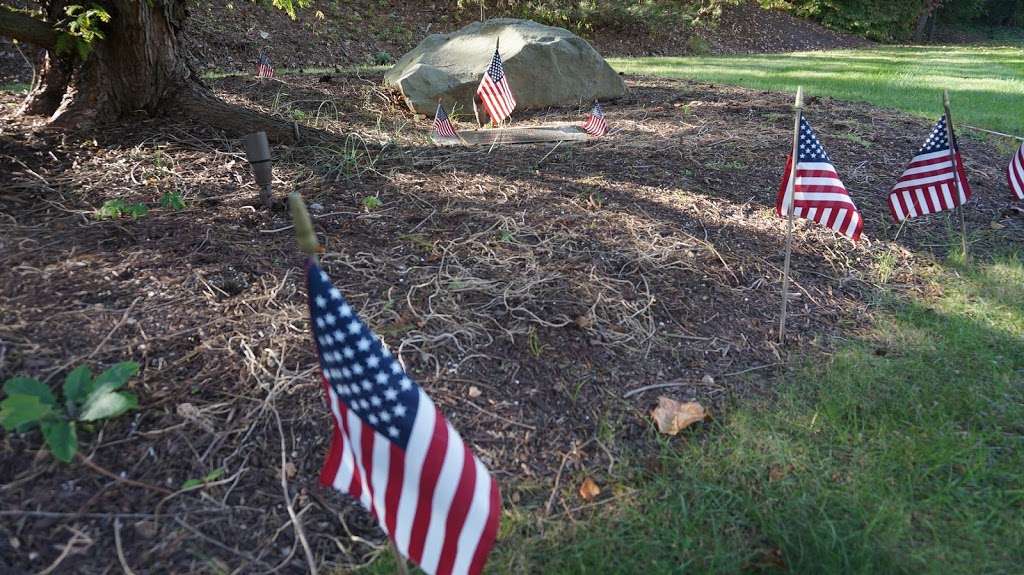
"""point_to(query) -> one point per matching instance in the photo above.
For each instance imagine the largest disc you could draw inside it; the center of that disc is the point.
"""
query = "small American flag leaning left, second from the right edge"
(927, 186)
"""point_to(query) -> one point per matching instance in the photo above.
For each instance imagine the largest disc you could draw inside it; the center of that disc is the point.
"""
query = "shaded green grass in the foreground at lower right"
(904, 453)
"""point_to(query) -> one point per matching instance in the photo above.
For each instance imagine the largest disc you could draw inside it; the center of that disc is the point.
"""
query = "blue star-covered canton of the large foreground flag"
(363, 373)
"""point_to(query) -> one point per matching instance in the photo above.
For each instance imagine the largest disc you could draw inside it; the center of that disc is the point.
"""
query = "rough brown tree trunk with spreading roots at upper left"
(142, 66)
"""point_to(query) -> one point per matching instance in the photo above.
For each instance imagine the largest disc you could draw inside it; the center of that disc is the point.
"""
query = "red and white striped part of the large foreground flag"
(436, 500)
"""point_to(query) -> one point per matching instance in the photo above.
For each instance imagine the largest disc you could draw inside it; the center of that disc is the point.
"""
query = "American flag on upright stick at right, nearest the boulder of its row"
(819, 194)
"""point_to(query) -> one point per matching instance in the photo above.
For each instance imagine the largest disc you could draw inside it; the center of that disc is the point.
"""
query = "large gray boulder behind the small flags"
(545, 66)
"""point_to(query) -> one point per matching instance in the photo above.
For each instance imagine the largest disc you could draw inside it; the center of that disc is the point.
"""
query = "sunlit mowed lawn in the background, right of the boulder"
(987, 83)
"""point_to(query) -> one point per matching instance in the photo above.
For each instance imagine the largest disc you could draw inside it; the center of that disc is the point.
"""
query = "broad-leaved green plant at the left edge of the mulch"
(87, 399)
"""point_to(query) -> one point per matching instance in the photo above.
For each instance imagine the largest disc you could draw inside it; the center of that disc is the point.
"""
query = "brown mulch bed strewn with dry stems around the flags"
(552, 279)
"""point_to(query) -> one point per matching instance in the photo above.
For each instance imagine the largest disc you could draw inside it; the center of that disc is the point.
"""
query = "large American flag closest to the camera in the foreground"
(394, 451)
